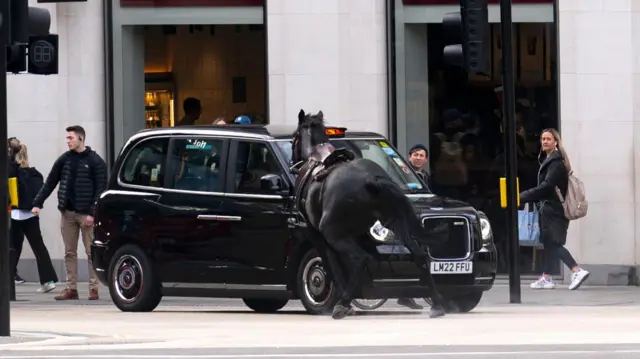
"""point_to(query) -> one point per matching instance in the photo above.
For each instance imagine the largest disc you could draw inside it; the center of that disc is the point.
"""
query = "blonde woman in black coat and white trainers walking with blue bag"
(553, 172)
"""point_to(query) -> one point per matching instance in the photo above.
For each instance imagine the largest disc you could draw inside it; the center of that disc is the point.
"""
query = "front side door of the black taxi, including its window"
(261, 232)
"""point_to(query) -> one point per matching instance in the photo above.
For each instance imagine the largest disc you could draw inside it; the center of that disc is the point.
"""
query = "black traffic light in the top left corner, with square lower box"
(29, 37)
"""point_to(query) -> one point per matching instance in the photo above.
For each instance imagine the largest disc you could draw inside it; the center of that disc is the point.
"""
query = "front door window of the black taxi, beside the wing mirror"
(254, 160)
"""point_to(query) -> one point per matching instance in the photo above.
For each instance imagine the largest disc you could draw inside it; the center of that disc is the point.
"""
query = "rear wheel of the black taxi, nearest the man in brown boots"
(133, 284)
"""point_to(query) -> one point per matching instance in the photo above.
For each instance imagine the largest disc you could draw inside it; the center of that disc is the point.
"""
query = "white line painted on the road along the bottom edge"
(316, 355)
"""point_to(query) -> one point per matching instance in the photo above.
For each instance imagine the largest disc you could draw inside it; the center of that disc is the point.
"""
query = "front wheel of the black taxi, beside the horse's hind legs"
(315, 290)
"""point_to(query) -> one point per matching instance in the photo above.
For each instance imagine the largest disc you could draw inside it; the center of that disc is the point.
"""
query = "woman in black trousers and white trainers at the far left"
(23, 222)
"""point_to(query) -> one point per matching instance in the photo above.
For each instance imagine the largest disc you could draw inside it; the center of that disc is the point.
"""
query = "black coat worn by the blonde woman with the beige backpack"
(553, 224)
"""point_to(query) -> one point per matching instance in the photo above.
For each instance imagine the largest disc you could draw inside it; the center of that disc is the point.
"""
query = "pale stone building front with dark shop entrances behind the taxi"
(367, 64)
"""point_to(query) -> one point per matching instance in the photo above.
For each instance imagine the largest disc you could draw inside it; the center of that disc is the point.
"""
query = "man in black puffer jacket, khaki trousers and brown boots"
(82, 175)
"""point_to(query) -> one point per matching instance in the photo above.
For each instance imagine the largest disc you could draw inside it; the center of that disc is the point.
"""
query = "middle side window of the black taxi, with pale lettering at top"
(195, 164)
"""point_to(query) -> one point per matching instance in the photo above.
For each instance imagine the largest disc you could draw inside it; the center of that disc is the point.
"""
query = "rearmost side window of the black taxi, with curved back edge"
(145, 164)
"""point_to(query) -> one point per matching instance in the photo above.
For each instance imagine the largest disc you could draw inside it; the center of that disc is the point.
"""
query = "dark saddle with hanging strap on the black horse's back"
(317, 171)
